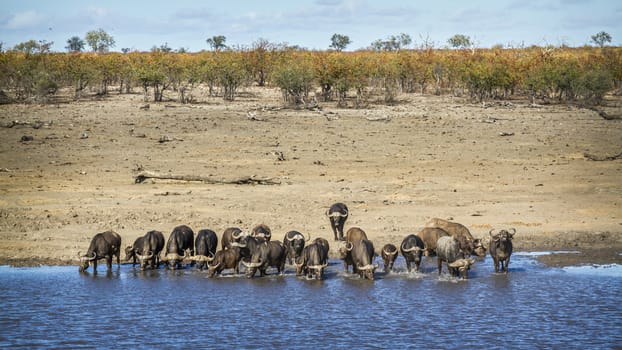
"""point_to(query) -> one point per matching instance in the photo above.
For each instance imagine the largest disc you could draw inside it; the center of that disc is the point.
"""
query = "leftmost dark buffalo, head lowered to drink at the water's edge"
(103, 245)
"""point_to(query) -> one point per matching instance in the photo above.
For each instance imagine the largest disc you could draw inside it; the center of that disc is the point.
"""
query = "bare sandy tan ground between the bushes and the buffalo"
(500, 165)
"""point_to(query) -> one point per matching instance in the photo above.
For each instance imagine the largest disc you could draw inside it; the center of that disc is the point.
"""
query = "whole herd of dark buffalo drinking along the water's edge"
(451, 243)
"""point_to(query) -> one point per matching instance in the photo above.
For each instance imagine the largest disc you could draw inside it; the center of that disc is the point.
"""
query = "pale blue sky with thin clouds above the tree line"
(310, 24)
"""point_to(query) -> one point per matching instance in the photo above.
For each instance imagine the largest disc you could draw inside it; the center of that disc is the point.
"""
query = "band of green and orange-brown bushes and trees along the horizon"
(584, 74)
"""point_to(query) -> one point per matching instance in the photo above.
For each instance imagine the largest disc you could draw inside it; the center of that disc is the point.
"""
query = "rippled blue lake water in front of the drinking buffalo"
(534, 306)
